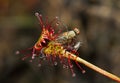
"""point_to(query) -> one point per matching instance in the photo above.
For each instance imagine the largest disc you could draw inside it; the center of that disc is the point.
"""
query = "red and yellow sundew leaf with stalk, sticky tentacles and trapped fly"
(54, 44)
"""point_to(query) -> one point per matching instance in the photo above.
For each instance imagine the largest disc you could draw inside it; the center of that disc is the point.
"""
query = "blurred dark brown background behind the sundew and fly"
(98, 21)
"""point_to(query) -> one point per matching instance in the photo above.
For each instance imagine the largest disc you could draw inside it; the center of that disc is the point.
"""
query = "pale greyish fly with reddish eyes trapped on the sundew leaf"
(68, 40)
